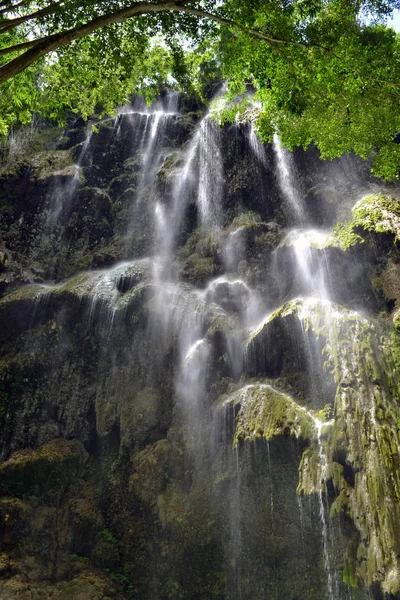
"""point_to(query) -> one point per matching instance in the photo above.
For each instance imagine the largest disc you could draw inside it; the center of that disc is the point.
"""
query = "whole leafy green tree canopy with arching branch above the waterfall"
(323, 71)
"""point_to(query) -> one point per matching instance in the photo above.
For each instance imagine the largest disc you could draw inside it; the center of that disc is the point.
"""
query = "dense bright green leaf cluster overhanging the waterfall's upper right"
(341, 94)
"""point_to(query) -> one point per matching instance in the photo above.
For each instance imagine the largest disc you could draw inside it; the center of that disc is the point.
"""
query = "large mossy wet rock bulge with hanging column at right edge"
(350, 348)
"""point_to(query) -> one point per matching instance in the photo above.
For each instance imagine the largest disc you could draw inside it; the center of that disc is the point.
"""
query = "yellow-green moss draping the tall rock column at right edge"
(365, 435)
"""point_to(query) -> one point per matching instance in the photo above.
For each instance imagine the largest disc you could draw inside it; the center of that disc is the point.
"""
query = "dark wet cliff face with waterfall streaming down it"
(198, 384)
